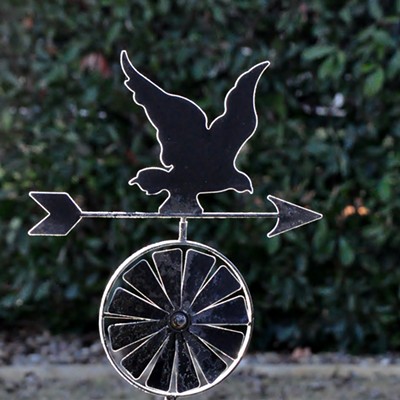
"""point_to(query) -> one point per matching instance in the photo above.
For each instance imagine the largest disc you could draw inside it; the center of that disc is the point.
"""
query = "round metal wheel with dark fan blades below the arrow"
(175, 318)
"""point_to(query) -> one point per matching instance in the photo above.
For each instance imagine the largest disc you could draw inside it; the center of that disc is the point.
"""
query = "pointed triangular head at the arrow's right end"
(290, 216)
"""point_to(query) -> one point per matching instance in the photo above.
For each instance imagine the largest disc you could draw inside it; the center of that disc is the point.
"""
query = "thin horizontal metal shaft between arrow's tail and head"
(139, 215)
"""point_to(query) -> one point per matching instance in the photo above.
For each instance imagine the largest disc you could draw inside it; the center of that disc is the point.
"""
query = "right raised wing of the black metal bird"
(239, 121)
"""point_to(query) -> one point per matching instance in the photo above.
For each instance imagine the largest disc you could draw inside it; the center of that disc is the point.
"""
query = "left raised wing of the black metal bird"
(173, 116)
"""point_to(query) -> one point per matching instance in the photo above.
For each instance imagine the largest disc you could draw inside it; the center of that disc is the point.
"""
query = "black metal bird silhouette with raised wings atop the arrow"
(197, 157)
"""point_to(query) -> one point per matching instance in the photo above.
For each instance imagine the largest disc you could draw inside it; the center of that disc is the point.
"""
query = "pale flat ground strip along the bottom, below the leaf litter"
(251, 381)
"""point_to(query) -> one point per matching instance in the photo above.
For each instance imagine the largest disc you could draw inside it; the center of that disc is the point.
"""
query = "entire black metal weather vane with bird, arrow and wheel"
(176, 316)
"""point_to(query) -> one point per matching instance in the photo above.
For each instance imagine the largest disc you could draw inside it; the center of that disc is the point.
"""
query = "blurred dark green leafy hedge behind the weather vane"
(328, 139)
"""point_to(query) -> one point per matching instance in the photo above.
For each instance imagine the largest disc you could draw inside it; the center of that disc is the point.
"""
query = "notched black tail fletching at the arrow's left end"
(62, 214)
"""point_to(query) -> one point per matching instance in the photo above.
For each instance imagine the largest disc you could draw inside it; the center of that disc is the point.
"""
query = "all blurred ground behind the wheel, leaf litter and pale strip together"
(36, 365)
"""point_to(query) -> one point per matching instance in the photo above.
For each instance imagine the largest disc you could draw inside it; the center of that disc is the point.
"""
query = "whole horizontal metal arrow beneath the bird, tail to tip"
(63, 214)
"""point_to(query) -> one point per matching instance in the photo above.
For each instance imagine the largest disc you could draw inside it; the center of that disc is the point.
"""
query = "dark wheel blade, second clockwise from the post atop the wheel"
(220, 285)
